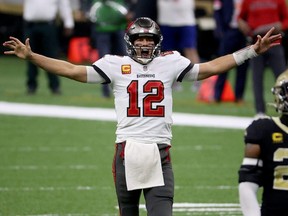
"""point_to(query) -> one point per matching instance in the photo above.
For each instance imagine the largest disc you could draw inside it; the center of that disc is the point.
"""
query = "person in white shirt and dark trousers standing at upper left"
(40, 26)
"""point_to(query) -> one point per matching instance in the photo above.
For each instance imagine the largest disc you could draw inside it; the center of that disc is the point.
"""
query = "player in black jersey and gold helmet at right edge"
(266, 159)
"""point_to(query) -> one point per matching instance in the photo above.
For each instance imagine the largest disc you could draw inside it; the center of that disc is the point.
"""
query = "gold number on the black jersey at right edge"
(281, 172)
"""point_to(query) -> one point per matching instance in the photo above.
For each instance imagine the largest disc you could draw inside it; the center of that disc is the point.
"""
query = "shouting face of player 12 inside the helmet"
(144, 47)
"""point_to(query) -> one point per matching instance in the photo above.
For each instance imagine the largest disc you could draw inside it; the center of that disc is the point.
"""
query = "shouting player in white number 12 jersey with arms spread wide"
(142, 87)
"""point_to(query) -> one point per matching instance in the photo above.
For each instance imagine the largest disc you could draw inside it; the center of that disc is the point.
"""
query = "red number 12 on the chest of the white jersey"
(155, 94)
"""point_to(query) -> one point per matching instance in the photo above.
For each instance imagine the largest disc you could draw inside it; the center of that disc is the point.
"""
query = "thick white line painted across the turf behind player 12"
(72, 112)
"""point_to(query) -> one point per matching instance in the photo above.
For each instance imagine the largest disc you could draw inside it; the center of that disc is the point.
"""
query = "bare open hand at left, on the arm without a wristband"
(18, 48)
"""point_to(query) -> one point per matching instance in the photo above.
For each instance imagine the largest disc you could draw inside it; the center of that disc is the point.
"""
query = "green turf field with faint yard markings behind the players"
(52, 167)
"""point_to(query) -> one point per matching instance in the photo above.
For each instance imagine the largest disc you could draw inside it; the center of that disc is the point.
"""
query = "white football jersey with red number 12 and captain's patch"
(143, 93)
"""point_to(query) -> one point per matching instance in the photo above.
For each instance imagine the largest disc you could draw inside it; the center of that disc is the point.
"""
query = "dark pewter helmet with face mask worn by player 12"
(141, 27)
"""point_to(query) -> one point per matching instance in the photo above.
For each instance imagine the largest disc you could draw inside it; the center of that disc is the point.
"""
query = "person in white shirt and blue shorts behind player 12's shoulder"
(177, 22)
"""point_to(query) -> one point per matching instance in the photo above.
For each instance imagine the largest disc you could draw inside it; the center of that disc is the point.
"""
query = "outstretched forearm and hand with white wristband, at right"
(227, 62)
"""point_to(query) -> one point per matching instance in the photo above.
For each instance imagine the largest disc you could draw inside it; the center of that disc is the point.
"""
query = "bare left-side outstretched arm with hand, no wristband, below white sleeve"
(55, 66)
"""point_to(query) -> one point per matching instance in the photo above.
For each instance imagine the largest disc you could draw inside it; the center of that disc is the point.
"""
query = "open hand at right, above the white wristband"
(267, 41)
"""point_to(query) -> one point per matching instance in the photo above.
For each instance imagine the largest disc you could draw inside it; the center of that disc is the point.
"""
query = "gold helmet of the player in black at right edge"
(280, 92)
